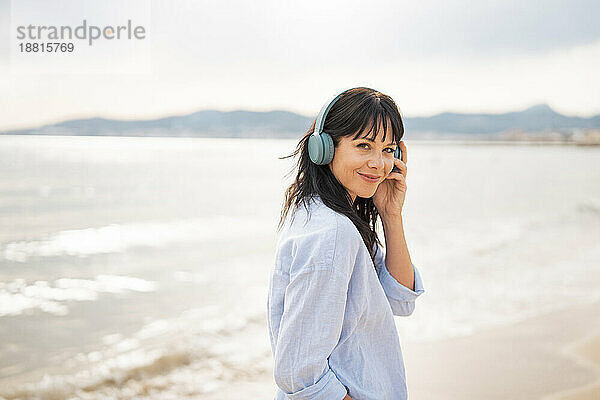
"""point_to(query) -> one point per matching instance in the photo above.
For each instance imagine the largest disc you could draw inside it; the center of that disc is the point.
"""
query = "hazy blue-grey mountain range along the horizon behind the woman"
(213, 123)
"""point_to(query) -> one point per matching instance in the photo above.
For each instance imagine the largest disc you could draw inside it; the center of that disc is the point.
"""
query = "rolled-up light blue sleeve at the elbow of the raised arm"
(401, 298)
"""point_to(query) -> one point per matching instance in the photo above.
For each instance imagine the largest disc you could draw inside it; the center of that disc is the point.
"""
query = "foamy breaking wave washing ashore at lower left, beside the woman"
(195, 353)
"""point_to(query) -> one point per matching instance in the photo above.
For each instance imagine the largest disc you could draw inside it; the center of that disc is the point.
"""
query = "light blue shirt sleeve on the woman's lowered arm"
(311, 326)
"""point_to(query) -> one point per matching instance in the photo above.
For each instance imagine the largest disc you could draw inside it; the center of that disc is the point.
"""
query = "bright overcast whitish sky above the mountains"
(431, 56)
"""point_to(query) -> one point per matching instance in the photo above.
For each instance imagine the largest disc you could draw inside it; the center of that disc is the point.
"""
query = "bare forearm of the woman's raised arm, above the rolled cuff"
(397, 258)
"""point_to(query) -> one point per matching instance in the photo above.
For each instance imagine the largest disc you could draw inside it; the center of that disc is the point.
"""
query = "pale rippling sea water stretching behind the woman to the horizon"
(139, 266)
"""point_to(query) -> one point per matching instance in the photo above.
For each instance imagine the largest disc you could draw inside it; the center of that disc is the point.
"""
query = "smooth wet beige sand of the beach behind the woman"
(551, 357)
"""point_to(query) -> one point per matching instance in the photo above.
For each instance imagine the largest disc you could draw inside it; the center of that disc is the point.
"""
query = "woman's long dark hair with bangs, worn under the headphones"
(357, 112)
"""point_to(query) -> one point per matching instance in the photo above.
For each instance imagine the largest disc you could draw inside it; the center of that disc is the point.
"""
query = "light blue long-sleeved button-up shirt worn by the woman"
(330, 312)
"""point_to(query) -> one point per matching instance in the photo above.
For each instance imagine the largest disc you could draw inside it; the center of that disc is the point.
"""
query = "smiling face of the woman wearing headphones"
(355, 158)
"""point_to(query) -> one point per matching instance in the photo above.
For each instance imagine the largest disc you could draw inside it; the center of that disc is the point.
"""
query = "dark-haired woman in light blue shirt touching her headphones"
(334, 291)
